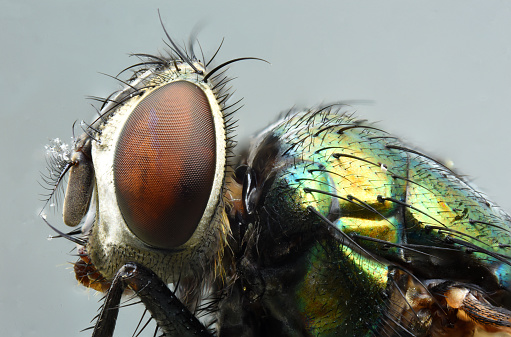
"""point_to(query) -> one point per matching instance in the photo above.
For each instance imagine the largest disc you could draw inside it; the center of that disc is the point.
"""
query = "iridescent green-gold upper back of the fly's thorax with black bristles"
(363, 170)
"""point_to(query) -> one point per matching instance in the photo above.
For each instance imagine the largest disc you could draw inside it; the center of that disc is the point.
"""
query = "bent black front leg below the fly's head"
(172, 317)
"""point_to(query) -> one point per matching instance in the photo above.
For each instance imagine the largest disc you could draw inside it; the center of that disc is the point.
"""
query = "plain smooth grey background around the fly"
(438, 73)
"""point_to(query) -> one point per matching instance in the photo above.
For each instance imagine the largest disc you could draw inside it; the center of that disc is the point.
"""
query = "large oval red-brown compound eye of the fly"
(164, 164)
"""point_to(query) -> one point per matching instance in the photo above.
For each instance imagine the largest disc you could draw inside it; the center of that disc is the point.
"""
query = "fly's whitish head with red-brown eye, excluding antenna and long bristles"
(159, 178)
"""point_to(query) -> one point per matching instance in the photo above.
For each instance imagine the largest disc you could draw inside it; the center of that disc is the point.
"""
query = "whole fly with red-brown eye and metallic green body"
(326, 225)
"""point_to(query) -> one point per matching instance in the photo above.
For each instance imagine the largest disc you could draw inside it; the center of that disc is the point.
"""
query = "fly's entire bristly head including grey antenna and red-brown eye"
(146, 178)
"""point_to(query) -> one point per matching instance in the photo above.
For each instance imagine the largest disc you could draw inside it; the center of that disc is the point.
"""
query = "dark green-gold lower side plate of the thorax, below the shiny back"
(342, 292)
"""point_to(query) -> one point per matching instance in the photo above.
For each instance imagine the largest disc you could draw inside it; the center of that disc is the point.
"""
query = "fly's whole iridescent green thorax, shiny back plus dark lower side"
(397, 213)
